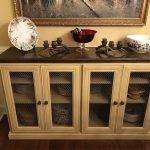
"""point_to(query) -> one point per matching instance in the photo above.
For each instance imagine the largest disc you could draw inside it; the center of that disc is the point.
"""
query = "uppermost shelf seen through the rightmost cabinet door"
(139, 80)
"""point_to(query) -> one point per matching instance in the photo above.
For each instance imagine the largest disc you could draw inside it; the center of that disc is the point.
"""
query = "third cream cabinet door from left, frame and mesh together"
(100, 97)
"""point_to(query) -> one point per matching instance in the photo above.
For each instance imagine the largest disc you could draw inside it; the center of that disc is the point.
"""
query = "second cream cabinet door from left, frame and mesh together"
(63, 97)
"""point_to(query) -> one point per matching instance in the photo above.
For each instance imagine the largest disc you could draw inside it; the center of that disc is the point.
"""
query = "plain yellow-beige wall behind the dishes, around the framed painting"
(51, 33)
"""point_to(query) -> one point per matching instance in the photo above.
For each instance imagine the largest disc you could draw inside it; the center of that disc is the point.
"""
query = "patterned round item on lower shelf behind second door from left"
(62, 114)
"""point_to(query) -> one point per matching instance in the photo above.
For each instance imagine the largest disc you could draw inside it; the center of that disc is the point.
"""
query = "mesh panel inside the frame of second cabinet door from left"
(61, 98)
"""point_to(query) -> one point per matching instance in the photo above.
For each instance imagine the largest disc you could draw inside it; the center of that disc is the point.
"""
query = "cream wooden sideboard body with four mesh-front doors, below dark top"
(76, 101)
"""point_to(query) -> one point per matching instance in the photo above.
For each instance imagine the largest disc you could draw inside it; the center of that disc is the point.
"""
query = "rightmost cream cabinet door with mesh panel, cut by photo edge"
(133, 112)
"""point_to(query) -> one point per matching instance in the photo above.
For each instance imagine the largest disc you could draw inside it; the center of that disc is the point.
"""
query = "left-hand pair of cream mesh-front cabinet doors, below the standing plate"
(43, 98)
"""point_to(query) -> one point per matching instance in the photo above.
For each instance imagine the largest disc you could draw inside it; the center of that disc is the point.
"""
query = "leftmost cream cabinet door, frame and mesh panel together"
(22, 90)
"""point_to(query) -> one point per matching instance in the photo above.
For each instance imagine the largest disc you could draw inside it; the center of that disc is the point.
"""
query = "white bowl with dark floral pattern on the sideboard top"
(139, 43)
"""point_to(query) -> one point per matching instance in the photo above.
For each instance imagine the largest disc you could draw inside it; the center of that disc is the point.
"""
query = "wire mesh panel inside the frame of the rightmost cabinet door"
(138, 95)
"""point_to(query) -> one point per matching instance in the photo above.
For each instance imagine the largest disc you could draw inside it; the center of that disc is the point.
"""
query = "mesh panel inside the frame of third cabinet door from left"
(101, 84)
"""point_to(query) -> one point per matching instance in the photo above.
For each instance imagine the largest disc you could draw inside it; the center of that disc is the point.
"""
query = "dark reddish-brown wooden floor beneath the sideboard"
(6, 144)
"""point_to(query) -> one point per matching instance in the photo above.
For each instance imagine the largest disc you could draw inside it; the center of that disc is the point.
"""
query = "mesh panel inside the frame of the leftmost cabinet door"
(24, 98)
